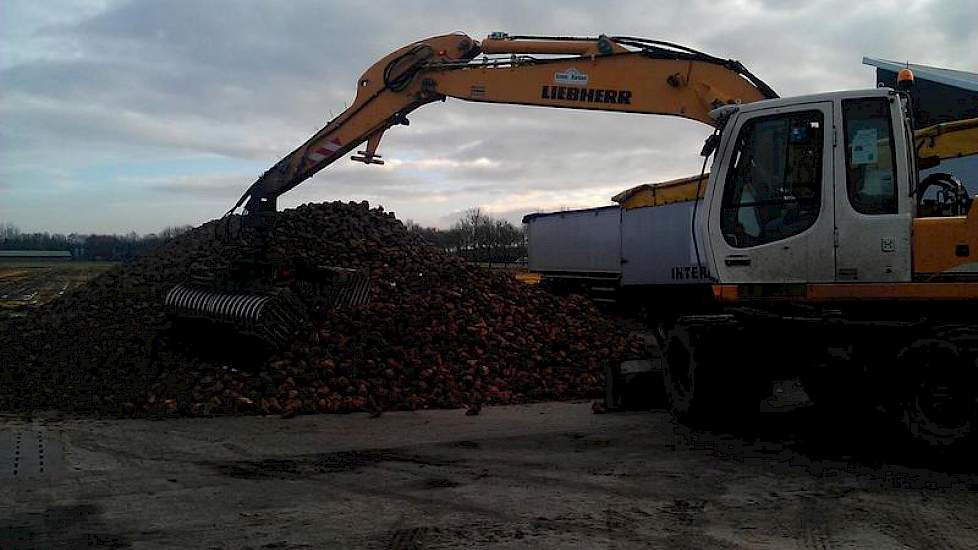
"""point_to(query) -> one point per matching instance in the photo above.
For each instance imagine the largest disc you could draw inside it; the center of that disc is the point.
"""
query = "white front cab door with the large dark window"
(771, 215)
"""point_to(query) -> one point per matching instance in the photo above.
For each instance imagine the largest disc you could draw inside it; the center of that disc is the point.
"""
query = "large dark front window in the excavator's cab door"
(773, 188)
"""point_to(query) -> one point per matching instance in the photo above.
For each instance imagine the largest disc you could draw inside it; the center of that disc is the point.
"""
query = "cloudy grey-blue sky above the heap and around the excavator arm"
(135, 115)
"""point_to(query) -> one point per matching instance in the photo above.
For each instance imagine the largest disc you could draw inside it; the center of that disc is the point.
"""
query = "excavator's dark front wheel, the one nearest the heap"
(706, 385)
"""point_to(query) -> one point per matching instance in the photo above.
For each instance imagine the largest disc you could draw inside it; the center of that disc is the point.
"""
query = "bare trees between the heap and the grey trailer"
(478, 237)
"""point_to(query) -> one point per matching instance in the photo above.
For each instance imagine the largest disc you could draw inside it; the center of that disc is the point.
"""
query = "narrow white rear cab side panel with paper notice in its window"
(872, 205)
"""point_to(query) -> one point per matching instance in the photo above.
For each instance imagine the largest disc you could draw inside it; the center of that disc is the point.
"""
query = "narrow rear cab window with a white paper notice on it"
(870, 157)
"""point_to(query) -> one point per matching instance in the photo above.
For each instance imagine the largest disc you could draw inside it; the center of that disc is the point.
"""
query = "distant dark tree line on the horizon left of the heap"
(91, 247)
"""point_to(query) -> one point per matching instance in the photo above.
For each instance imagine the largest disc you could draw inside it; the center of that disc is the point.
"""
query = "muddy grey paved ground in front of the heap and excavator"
(534, 476)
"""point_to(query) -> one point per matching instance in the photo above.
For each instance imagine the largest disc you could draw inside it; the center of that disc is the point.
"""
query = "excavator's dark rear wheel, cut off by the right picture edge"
(934, 402)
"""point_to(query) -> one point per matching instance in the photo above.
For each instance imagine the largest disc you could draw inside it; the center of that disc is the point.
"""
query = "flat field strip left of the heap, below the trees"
(25, 285)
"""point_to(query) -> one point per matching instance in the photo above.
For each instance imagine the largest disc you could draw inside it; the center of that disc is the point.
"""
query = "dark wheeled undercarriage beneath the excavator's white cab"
(909, 377)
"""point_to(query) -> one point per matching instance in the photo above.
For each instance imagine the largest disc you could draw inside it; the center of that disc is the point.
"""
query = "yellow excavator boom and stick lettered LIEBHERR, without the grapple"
(606, 73)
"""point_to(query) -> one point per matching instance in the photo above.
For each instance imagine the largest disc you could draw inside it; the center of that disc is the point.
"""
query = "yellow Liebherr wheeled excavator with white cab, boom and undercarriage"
(807, 254)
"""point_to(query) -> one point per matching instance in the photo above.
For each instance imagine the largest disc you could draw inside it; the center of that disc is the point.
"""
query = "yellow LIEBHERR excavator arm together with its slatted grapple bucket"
(620, 74)
